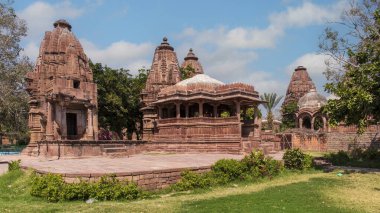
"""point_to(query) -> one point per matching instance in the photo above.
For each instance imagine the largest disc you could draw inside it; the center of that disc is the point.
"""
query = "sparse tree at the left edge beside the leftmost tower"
(13, 98)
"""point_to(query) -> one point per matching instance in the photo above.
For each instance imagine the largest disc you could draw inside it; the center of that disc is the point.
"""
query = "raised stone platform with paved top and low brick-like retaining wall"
(150, 170)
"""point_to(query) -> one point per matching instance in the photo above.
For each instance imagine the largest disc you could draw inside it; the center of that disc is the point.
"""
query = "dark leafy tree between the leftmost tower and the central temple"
(119, 98)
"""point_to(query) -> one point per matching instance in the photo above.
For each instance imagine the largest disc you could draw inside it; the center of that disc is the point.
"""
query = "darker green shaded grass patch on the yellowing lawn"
(296, 197)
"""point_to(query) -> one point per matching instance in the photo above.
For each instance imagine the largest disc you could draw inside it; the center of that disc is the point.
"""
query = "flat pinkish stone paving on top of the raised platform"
(136, 163)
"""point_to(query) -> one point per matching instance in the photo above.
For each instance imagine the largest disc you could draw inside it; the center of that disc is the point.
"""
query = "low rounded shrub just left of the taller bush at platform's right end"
(230, 169)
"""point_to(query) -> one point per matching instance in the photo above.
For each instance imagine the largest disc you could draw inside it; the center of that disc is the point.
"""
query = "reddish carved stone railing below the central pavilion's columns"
(193, 120)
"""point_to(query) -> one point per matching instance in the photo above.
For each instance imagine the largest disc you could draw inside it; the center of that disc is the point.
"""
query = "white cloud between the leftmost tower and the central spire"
(120, 54)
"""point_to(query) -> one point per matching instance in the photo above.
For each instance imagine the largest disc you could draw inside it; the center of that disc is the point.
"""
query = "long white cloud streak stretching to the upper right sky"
(254, 38)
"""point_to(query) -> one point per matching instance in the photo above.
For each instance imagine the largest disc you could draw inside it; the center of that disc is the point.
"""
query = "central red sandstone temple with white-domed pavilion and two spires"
(199, 112)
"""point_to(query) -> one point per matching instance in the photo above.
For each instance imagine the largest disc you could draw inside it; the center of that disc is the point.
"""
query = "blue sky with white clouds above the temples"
(252, 41)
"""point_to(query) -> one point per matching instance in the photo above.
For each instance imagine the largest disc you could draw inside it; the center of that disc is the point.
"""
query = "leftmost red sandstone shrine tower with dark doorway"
(63, 97)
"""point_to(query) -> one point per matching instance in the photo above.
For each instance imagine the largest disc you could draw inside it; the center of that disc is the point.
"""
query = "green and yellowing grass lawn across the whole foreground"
(307, 192)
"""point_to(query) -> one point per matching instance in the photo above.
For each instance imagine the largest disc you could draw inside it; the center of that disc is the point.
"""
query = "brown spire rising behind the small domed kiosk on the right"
(299, 85)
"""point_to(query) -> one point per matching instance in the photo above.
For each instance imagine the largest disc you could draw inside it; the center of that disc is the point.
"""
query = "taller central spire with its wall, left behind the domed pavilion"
(164, 72)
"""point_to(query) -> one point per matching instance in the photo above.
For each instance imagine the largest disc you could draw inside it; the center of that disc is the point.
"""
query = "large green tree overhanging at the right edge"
(354, 77)
